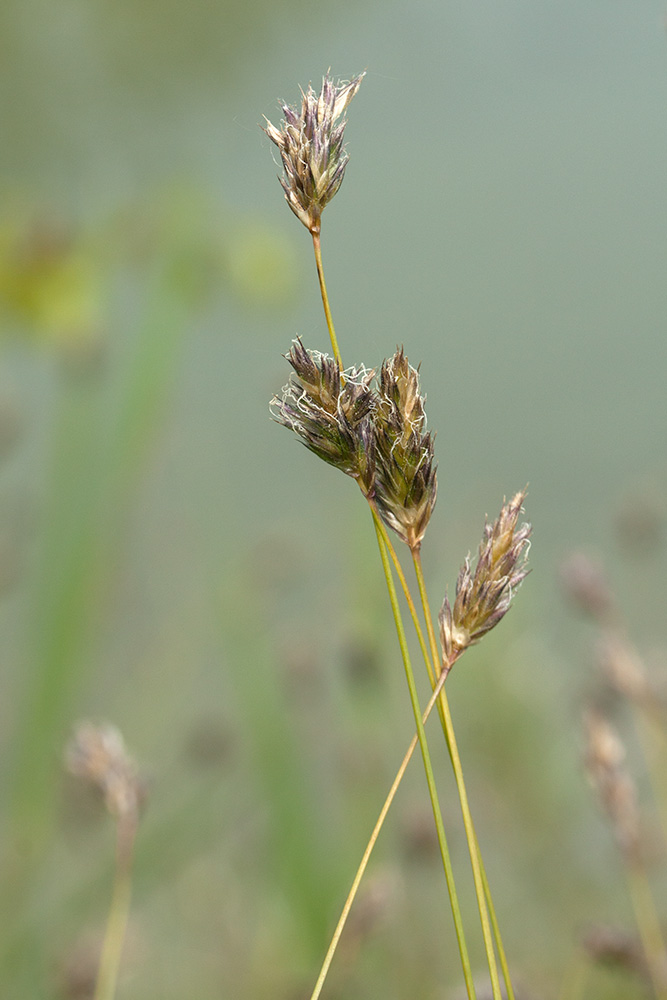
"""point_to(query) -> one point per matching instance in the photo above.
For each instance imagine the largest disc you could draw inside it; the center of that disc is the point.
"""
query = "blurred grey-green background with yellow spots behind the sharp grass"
(173, 562)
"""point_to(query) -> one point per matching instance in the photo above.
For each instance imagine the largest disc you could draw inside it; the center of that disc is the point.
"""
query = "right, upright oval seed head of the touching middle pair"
(406, 482)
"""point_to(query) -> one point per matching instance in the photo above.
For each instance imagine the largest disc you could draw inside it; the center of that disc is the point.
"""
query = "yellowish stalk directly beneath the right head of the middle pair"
(481, 883)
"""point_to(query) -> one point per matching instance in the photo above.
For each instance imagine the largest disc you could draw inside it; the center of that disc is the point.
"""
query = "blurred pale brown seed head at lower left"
(97, 754)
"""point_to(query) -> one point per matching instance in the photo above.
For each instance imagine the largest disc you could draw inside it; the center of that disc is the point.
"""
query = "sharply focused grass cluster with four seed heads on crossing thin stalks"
(376, 433)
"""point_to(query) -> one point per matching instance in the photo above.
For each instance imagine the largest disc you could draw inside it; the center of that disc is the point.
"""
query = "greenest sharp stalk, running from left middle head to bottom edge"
(428, 769)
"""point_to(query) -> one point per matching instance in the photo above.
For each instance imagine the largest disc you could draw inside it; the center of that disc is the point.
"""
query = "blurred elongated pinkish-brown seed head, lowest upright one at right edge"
(605, 764)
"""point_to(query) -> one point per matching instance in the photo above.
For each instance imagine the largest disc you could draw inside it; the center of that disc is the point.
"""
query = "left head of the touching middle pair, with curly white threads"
(331, 412)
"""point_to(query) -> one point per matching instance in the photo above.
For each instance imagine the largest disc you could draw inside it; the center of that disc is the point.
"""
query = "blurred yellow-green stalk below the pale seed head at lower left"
(119, 911)
